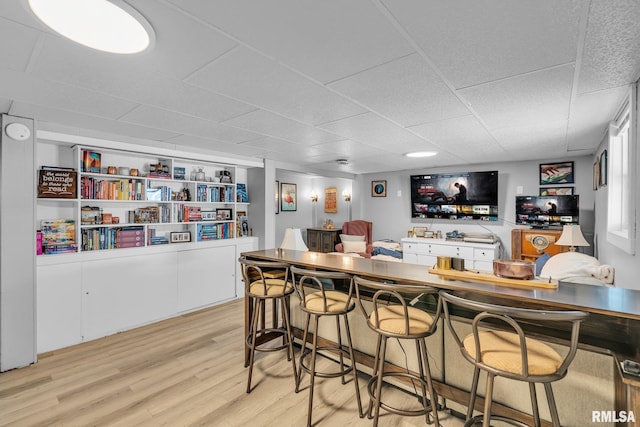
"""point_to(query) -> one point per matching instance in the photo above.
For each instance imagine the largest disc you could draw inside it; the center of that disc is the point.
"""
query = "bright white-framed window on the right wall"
(621, 180)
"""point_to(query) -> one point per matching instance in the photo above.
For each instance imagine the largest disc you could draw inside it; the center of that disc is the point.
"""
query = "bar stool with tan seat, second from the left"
(317, 302)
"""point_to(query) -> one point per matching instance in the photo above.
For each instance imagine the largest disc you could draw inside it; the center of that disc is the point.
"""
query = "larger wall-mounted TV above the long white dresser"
(459, 196)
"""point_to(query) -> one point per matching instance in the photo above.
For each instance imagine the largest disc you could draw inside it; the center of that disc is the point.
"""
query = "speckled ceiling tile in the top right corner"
(611, 55)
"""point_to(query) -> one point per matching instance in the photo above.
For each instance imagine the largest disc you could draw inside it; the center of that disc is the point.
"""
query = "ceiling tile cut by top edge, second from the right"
(473, 42)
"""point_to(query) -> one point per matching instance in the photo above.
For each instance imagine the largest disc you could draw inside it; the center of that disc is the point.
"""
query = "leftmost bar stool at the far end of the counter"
(267, 281)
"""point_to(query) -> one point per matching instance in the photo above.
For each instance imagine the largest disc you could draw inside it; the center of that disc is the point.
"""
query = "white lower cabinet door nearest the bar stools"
(206, 276)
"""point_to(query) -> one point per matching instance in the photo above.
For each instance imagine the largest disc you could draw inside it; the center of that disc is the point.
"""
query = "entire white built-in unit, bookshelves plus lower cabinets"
(135, 241)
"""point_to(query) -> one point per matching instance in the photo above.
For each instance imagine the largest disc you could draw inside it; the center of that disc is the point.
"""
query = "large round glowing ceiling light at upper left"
(107, 25)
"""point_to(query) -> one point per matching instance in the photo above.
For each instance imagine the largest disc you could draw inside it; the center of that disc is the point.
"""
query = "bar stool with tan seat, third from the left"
(392, 317)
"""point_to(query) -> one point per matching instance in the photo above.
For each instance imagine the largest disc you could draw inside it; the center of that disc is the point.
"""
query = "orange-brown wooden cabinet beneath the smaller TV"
(530, 244)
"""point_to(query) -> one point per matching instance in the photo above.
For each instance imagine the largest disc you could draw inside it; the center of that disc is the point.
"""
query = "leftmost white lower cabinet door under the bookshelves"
(59, 306)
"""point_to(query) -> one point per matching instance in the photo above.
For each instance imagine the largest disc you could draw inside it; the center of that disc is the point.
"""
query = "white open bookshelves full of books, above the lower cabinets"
(107, 192)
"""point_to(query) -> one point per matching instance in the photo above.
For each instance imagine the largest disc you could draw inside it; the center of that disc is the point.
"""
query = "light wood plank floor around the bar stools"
(185, 371)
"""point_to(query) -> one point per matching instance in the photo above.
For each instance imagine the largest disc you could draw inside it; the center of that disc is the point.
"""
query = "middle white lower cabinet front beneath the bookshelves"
(121, 293)
